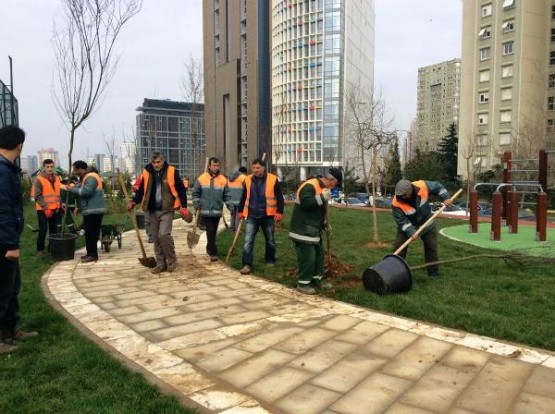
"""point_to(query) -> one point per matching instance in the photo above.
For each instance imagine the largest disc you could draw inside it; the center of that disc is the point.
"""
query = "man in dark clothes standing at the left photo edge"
(11, 227)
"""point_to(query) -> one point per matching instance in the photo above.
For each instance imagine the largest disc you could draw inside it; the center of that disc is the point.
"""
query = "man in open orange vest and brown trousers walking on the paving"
(160, 193)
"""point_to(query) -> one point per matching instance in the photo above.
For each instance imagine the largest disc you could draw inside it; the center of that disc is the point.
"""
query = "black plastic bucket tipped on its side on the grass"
(391, 275)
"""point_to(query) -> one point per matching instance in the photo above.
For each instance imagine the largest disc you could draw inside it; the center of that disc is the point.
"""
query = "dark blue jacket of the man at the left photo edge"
(11, 205)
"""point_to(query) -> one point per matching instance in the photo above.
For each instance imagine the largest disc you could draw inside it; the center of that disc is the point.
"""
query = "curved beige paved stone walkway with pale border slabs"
(227, 343)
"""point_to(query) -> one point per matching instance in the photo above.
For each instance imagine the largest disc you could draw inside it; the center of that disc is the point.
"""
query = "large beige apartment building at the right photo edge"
(507, 81)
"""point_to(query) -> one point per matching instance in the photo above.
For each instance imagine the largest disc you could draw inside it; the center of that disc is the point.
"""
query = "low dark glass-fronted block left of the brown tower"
(176, 129)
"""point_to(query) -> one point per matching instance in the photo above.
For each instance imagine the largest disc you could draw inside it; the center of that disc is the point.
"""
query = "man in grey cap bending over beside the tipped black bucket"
(411, 208)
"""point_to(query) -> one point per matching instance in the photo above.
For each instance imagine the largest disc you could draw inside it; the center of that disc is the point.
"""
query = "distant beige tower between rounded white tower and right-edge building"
(437, 104)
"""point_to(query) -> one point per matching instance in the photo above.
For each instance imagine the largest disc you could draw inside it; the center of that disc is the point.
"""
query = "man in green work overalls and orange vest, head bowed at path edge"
(307, 224)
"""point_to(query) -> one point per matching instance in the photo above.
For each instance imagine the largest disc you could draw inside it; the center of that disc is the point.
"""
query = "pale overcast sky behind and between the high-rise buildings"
(156, 44)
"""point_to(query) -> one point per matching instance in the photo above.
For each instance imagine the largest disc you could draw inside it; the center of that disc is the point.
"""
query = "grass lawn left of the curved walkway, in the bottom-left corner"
(61, 371)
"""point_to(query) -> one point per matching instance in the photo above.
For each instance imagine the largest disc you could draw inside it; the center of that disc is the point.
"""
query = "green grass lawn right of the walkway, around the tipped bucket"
(483, 296)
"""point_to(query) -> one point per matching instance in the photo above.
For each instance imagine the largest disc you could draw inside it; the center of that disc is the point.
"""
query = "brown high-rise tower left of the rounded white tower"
(237, 80)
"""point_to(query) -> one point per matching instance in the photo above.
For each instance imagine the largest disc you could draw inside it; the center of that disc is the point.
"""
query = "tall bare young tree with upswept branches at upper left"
(86, 60)
